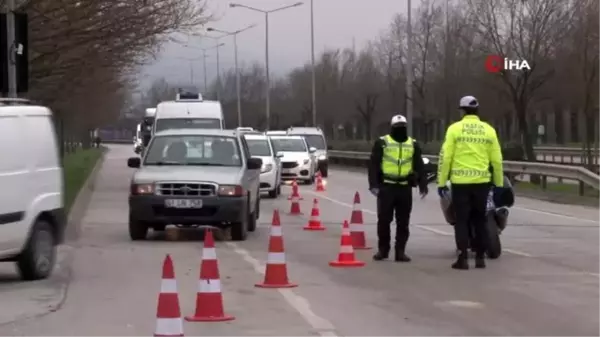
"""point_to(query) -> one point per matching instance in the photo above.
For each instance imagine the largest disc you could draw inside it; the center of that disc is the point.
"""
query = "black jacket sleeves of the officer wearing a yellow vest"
(376, 175)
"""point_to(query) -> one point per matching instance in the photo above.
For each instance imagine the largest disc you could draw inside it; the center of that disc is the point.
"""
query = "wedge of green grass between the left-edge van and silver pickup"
(77, 167)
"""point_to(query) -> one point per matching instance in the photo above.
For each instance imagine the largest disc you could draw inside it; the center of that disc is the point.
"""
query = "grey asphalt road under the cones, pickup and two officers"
(547, 283)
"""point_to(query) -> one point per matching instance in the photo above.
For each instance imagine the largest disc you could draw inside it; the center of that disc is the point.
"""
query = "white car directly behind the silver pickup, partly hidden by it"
(260, 146)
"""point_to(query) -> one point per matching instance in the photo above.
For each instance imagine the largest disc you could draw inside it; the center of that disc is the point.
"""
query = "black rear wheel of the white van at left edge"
(37, 260)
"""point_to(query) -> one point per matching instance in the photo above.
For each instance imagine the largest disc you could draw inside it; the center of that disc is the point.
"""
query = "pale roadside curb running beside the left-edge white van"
(65, 253)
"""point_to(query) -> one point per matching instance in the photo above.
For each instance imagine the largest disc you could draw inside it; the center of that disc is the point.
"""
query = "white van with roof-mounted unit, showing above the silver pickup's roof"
(188, 111)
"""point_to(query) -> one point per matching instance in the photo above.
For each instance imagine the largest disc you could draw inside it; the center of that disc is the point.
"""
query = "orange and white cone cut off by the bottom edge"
(168, 313)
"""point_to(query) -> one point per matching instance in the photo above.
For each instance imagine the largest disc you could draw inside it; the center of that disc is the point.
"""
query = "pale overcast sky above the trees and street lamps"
(337, 24)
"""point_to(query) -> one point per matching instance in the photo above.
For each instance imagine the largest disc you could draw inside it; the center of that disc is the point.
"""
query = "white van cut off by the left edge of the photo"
(32, 219)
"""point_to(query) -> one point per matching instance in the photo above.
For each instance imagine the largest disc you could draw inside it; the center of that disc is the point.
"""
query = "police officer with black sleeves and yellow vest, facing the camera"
(396, 166)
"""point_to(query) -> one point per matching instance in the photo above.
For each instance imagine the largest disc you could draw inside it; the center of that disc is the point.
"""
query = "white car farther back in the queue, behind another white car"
(298, 160)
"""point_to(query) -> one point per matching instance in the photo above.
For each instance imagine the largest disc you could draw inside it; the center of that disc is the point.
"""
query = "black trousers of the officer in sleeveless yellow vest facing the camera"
(398, 199)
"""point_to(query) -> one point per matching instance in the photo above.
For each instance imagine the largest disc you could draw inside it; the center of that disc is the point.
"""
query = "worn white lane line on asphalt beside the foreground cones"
(300, 304)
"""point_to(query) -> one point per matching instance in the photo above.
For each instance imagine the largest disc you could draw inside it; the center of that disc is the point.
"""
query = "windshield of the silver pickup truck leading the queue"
(193, 151)
